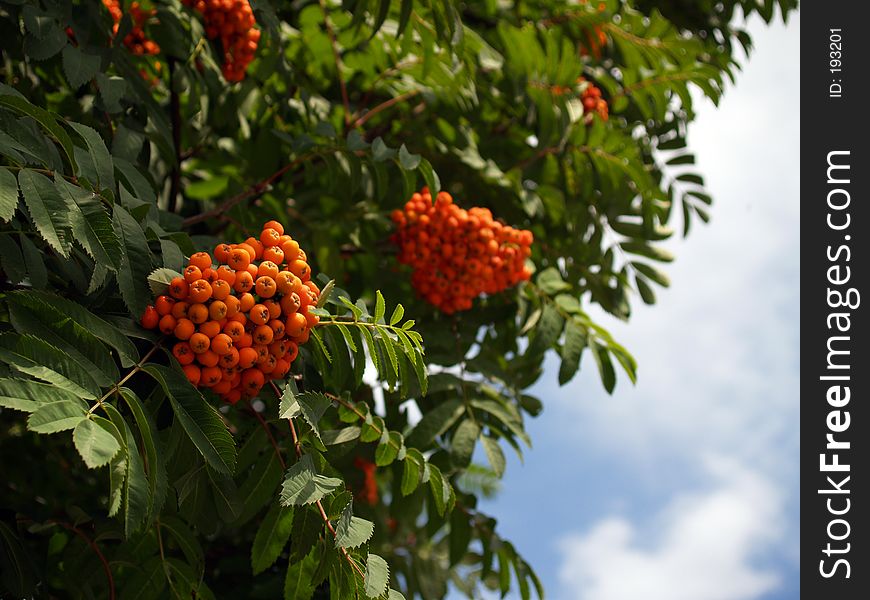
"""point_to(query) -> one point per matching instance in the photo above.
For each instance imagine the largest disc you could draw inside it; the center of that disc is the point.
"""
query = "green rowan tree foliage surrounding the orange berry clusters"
(119, 477)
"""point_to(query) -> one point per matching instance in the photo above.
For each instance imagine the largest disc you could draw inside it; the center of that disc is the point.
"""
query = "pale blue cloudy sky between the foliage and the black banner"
(685, 486)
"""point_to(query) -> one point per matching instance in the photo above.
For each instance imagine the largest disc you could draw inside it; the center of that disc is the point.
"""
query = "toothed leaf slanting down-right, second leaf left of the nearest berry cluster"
(91, 225)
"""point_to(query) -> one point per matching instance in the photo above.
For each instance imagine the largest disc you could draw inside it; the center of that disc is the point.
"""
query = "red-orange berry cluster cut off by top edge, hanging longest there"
(232, 21)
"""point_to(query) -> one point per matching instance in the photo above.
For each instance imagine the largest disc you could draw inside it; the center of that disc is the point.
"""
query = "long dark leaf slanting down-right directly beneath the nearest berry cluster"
(200, 420)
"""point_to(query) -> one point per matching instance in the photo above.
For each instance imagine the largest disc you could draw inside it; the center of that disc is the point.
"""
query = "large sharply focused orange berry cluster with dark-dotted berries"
(239, 322)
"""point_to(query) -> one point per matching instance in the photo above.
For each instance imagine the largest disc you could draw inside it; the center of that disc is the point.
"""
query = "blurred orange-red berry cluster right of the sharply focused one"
(458, 254)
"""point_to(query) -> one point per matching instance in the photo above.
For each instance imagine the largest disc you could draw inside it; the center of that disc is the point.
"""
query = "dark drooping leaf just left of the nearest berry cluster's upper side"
(135, 261)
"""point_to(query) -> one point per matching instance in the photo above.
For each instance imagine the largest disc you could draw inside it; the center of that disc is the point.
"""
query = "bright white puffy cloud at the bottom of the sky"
(703, 545)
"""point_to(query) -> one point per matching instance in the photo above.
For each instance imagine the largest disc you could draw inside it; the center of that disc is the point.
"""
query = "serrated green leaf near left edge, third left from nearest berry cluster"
(47, 209)
